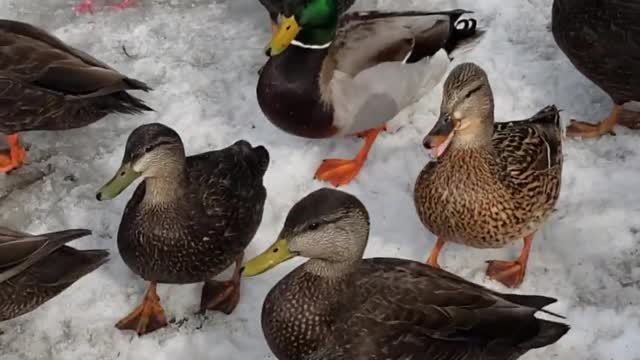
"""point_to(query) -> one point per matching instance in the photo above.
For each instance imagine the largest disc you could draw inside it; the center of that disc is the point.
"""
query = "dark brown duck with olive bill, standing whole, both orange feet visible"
(189, 220)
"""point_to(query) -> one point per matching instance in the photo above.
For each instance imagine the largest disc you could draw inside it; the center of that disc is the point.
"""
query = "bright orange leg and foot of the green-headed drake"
(340, 172)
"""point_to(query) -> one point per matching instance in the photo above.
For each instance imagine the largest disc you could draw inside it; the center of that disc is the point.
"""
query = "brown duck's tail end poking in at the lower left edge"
(36, 268)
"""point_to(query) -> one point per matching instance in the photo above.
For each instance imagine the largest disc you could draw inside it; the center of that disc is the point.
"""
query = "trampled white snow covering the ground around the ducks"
(202, 56)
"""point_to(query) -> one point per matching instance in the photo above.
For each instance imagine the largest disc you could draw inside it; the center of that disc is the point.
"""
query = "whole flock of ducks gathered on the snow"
(329, 73)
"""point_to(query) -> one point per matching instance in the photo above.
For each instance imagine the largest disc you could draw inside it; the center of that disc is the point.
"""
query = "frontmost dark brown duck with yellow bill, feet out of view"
(340, 306)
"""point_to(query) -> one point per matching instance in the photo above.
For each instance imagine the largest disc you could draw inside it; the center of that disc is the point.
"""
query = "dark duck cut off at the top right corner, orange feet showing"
(599, 37)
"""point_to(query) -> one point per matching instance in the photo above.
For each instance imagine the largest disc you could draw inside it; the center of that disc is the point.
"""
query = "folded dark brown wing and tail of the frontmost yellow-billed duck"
(408, 310)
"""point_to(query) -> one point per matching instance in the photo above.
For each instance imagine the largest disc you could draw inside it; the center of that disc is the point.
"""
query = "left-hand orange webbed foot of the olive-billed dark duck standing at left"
(147, 317)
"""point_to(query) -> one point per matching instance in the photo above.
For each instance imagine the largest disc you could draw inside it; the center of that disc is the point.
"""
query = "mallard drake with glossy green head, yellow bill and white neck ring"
(351, 76)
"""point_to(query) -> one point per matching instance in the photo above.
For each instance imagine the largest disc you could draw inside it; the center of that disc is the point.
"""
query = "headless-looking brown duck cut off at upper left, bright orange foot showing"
(48, 85)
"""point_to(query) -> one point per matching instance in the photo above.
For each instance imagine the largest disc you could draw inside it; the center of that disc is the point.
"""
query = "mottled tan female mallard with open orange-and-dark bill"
(490, 183)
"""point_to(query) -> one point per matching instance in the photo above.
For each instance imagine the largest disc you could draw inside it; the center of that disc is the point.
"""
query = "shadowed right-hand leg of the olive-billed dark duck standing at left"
(222, 295)
